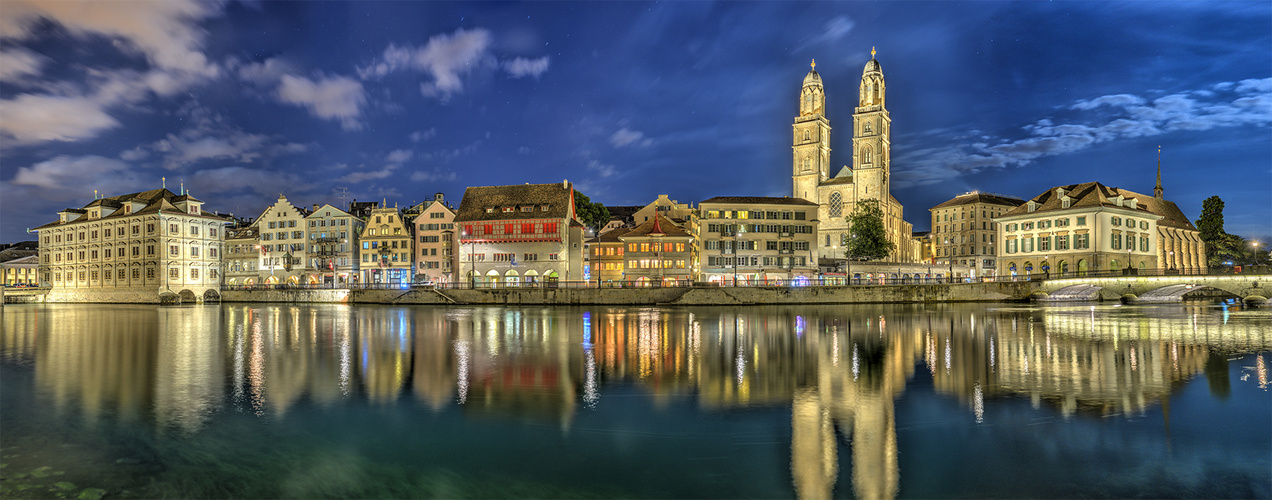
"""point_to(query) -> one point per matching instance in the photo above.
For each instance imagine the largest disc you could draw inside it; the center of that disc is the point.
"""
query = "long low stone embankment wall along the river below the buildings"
(727, 296)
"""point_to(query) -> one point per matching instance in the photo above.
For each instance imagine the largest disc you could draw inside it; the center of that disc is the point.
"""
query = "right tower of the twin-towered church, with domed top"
(872, 137)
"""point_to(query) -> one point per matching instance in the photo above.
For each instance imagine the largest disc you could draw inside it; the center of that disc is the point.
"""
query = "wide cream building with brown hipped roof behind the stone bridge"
(1091, 227)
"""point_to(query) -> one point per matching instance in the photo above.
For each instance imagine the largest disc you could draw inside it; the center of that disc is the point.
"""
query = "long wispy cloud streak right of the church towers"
(1107, 119)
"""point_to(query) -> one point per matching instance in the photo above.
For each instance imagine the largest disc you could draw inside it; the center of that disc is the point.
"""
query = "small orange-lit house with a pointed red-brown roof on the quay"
(661, 253)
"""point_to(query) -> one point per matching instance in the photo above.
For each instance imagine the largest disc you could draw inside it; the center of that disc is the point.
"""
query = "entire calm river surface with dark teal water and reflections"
(867, 401)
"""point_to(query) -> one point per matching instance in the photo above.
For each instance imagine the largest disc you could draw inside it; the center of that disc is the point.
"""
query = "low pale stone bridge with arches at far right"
(1252, 289)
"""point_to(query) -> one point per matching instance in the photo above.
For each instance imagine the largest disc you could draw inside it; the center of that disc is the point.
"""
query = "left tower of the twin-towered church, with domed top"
(812, 146)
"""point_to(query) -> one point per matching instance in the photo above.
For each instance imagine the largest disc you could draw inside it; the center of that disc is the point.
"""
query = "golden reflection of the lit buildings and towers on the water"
(839, 370)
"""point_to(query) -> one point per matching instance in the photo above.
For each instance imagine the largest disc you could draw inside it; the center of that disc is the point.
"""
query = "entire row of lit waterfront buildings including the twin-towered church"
(513, 236)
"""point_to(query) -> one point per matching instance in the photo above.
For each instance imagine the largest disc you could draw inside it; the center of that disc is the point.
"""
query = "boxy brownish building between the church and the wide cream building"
(965, 232)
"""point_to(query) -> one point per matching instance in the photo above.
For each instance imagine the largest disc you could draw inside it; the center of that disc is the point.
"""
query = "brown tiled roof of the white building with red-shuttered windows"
(489, 203)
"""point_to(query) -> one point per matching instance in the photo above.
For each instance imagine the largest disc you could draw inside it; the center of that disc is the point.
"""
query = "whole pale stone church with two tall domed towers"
(869, 176)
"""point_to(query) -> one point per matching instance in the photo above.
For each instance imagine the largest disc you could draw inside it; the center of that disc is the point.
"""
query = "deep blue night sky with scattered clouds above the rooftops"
(400, 100)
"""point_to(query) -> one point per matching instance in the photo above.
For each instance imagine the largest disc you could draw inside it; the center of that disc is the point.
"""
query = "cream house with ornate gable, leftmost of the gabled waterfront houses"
(284, 253)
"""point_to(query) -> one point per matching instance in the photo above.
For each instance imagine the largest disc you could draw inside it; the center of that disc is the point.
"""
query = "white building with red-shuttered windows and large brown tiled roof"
(523, 235)
